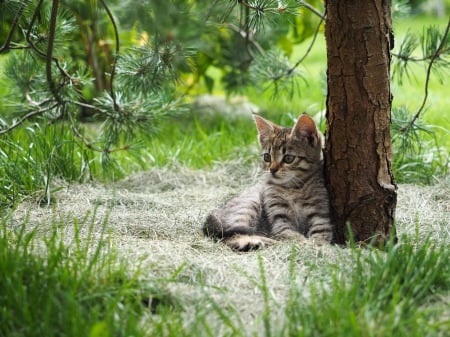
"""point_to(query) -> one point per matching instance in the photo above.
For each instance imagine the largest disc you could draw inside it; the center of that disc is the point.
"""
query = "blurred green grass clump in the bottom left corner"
(52, 289)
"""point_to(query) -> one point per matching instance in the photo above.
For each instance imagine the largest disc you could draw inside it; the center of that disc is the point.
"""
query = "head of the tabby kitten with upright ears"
(288, 153)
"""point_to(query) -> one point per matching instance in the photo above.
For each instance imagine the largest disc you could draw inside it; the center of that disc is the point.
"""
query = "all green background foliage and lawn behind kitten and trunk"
(115, 87)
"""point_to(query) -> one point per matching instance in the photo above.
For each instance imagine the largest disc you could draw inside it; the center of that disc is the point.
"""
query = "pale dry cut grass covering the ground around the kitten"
(153, 219)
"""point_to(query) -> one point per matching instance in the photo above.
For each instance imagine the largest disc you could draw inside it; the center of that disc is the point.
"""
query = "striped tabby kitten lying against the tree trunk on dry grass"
(291, 203)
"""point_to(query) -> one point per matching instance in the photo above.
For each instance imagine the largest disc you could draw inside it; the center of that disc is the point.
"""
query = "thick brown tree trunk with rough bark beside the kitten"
(358, 148)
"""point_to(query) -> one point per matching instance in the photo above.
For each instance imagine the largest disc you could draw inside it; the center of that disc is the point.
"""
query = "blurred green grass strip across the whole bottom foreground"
(79, 286)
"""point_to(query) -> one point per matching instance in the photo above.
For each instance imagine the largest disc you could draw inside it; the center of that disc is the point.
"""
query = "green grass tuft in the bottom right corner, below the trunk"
(389, 293)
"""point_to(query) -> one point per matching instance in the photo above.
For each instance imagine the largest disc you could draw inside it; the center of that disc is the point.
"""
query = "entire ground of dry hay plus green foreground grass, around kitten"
(137, 265)
